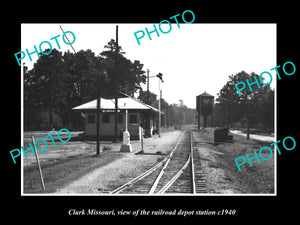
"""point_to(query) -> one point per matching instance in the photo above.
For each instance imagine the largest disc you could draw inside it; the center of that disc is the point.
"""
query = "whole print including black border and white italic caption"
(178, 117)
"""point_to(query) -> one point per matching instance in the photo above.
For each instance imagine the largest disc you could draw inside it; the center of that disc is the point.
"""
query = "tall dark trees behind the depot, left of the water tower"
(60, 81)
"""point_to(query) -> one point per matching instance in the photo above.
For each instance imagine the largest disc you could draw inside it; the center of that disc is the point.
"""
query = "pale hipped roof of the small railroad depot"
(123, 103)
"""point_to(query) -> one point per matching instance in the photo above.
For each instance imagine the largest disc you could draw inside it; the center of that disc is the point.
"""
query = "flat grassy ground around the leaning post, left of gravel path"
(62, 163)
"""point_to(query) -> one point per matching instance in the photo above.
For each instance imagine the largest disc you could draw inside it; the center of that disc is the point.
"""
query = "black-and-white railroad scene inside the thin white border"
(142, 123)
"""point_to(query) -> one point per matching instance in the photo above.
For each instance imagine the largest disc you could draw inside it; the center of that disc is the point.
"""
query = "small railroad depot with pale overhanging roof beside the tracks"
(137, 117)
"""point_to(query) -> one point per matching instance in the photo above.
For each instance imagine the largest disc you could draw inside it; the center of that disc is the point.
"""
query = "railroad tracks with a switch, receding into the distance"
(178, 173)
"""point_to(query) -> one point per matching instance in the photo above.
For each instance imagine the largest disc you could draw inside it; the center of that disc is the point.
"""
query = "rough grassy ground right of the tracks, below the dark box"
(256, 179)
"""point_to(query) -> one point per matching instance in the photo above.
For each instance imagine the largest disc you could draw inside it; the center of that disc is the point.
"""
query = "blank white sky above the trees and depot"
(193, 58)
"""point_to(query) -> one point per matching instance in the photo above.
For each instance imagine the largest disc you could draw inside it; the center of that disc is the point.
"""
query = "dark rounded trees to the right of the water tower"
(252, 109)
